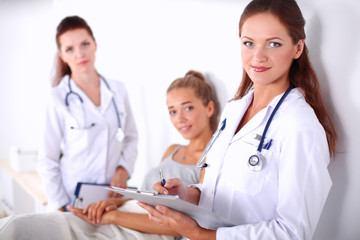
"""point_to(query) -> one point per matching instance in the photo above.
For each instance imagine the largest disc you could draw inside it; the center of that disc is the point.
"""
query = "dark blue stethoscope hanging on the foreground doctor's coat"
(256, 162)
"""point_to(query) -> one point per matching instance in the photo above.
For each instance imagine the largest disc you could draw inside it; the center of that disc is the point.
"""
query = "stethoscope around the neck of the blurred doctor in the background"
(119, 133)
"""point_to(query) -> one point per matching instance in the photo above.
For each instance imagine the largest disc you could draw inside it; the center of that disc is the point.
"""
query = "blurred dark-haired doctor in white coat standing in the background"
(89, 122)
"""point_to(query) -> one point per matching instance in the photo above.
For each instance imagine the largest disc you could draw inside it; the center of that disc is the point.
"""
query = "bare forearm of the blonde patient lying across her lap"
(139, 222)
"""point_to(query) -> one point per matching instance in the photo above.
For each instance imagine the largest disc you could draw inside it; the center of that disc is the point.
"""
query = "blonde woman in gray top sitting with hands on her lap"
(192, 109)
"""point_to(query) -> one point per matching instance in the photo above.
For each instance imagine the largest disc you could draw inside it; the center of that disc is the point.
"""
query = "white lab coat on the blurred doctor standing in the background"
(91, 154)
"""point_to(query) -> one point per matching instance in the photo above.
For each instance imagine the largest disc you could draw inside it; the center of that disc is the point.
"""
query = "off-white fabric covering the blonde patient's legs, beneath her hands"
(66, 226)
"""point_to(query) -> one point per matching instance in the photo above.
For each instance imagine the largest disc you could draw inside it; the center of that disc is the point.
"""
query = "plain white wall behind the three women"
(147, 44)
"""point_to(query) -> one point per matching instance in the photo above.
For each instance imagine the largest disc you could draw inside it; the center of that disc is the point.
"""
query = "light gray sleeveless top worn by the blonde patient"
(189, 174)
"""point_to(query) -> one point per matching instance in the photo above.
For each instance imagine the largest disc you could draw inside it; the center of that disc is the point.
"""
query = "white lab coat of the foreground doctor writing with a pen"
(284, 200)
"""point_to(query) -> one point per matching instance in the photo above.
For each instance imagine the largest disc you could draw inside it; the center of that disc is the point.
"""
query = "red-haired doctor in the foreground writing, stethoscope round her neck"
(267, 167)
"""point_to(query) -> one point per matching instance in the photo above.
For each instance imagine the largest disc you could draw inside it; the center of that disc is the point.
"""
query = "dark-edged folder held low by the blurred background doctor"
(86, 193)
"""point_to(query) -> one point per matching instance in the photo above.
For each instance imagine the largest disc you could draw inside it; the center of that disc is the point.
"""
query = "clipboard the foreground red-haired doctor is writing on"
(204, 217)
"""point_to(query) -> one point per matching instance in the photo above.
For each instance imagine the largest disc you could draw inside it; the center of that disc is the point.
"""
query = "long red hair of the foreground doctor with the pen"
(301, 73)
